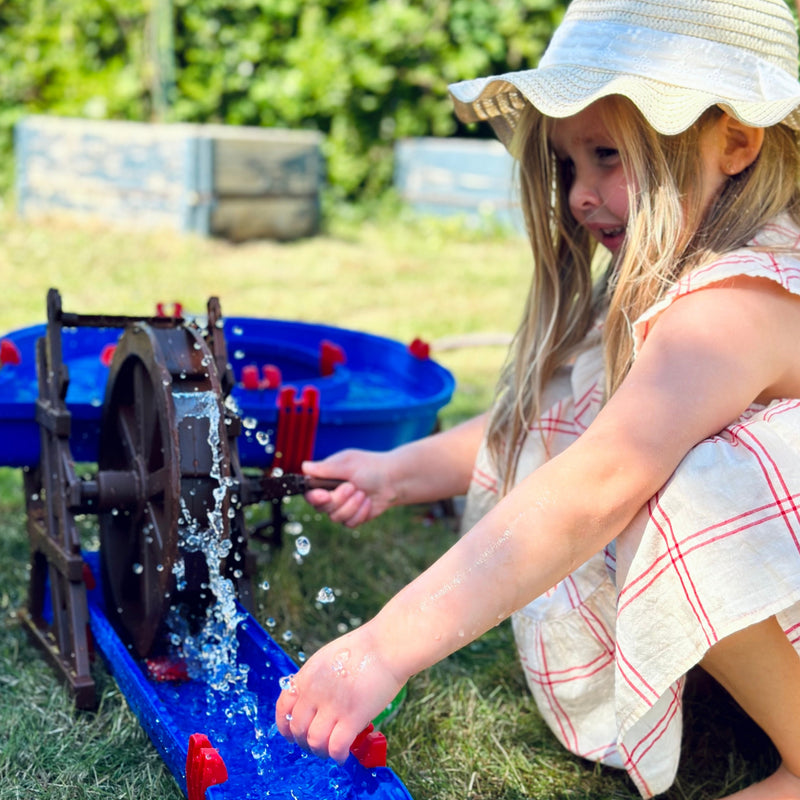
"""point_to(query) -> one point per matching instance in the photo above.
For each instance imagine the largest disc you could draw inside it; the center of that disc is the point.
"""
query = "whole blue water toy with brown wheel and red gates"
(184, 437)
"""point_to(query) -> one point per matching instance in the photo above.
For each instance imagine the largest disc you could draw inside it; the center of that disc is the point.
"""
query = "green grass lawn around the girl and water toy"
(468, 729)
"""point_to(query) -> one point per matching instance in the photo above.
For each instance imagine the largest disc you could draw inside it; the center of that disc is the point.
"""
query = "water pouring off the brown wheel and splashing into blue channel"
(239, 714)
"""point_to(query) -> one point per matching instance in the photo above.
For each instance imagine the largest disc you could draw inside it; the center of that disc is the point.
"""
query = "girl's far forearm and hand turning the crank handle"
(433, 468)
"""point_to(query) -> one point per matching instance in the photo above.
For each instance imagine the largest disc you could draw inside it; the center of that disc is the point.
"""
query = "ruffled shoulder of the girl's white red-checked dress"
(773, 254)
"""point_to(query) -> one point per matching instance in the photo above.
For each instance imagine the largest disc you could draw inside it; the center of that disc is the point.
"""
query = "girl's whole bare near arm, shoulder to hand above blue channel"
(710, 355)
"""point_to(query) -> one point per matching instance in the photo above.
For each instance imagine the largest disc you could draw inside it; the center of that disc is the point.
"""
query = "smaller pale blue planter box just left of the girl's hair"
(469, 177)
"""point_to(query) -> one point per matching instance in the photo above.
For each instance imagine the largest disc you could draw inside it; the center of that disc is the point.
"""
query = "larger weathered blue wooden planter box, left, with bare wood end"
(215, 180)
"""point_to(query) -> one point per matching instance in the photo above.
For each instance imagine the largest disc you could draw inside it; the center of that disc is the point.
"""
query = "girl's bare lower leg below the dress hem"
(761, 670)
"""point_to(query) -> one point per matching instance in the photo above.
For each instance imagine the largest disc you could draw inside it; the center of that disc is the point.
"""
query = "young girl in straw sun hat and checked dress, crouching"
(634, 496)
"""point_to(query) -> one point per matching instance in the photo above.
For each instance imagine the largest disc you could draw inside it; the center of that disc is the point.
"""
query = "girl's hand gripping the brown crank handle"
(367, 489)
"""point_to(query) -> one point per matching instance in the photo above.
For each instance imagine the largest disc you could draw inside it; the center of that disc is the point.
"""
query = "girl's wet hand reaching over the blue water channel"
(336, 694)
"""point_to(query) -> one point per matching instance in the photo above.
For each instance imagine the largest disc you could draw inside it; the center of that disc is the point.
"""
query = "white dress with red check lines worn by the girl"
(720, 551)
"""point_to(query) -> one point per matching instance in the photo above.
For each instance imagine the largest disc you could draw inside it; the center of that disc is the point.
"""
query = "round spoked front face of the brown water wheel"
(139, 541)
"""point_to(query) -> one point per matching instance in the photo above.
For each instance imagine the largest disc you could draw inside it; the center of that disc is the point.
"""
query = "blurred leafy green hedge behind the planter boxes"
(363, 72)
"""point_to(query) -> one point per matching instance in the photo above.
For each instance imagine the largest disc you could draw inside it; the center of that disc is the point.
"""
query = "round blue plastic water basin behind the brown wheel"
(374, 392)
